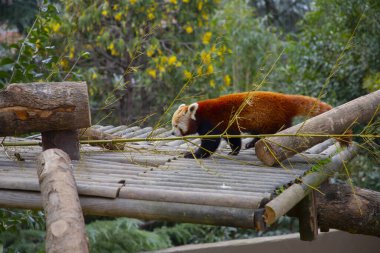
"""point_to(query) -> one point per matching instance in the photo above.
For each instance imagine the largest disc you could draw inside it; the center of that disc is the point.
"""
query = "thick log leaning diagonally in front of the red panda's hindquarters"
(336, 121)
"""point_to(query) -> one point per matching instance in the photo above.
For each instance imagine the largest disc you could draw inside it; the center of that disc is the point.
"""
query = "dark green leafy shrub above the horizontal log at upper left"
(35, 58)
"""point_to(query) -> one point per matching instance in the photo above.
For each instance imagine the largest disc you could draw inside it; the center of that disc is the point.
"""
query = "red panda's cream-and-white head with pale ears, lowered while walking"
(184, 120)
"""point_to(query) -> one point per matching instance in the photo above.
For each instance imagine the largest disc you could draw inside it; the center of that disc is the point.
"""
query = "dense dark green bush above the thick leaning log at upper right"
(336, 49)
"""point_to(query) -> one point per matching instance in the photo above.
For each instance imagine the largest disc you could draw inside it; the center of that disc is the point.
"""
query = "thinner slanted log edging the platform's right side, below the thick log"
(280, 205)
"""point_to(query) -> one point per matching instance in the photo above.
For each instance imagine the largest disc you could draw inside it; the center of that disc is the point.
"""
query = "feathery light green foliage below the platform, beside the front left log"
(123, 235)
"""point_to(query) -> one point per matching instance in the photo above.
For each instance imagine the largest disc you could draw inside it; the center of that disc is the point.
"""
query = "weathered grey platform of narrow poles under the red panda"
(150, 180)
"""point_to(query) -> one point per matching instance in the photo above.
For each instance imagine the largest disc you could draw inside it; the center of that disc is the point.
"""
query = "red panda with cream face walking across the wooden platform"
(261, 112)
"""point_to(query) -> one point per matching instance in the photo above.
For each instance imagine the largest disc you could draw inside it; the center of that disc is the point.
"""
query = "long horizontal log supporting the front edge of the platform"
(142, 209)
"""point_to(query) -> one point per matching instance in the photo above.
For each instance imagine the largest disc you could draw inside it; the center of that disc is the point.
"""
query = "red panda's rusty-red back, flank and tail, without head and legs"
(266, 112)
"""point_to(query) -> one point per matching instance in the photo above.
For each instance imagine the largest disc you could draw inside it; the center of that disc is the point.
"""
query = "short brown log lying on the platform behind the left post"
(95, 134)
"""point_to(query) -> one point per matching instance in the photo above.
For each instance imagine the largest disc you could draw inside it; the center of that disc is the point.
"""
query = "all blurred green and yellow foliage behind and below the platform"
(140, 56)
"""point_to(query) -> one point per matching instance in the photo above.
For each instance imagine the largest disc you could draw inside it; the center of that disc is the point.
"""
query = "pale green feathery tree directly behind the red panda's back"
(253, 46)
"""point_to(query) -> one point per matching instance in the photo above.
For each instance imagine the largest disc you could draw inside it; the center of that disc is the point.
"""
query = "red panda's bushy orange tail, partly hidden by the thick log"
(310, 107)
